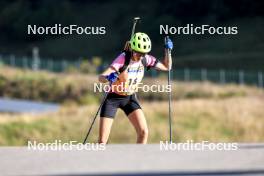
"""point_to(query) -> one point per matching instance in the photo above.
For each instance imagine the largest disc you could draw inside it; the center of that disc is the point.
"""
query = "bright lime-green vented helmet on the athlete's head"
(140, 42)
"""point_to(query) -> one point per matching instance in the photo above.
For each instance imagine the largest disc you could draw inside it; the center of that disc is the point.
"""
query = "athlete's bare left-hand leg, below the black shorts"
(104, 129)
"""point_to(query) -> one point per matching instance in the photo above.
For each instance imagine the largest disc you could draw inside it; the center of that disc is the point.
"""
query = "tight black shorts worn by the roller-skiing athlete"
(114, 101)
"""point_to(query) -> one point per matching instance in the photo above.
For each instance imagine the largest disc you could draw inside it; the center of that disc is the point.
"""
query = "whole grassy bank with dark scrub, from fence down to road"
(201, 111)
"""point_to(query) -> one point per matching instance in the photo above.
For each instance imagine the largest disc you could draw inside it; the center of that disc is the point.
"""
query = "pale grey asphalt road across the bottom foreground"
(133, 160)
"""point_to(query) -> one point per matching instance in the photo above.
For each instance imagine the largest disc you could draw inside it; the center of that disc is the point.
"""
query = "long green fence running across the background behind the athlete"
(221, 76)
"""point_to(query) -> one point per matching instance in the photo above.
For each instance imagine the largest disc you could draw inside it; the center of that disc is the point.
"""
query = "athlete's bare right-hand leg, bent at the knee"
(138, 120)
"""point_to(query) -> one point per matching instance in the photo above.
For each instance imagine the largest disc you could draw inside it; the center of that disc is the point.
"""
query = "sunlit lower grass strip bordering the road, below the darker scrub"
(223, 120)
